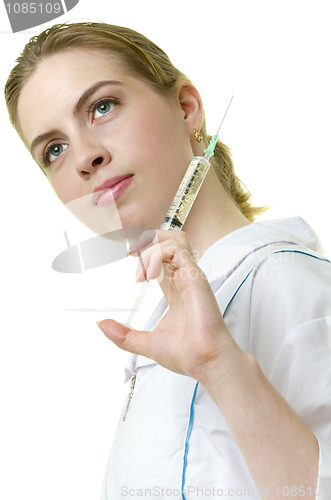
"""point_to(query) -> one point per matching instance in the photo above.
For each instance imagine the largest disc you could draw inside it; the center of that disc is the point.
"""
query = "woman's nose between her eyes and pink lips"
(90, 155)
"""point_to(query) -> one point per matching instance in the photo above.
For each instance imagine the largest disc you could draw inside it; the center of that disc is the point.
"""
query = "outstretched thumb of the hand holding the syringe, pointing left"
(134, 341)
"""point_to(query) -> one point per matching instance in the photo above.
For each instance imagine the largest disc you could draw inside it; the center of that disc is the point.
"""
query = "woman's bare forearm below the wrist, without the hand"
(279, 448)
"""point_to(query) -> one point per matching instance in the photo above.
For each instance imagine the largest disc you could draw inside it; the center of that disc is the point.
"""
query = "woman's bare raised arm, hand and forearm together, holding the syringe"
(192, 338)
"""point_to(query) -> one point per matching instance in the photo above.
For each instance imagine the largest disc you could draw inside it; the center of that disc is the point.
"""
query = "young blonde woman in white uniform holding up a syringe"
(232, 372)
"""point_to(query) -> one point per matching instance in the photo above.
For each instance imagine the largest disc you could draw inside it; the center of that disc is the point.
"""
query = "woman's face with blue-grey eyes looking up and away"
(105, 136)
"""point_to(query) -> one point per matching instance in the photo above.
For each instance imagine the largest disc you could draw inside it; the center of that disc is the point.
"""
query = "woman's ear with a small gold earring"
(191, 105)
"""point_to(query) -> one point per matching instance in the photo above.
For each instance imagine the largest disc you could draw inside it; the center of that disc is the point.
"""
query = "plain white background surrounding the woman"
(61, 379)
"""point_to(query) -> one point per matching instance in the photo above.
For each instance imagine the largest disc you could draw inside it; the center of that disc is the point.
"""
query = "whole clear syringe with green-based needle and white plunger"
(183, 201)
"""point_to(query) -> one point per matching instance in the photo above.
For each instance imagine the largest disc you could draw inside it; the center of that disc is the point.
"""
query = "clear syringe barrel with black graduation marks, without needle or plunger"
(186, 194)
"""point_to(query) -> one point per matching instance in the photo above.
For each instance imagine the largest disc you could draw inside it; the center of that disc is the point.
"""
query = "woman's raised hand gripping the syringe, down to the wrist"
(192, 336)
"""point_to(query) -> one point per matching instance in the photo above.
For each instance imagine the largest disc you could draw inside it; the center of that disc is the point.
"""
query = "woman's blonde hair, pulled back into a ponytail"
(141, 57)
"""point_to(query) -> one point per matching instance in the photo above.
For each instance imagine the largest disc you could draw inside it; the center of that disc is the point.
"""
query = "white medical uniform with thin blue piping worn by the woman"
(276, 300)
